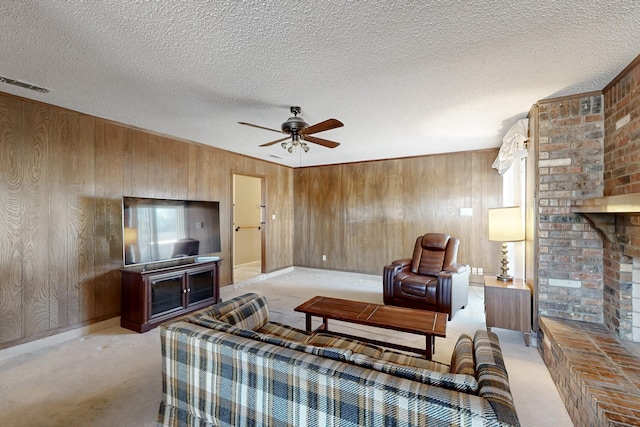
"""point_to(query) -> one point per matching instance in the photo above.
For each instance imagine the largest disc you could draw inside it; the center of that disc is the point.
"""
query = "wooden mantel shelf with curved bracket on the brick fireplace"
(599, 209)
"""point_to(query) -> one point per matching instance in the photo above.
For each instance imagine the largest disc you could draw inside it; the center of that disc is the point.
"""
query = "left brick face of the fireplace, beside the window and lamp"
(570, 269)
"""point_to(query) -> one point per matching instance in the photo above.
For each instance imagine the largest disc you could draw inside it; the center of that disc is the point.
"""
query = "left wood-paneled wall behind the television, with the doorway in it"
(62, 177)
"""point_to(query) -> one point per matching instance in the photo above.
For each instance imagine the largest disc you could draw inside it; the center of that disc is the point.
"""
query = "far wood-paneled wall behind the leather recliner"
(362, 216)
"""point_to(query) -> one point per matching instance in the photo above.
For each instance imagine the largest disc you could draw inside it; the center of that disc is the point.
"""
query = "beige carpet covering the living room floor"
(111, 377)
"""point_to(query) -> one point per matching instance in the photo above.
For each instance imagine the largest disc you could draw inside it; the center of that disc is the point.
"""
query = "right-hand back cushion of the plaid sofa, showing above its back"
(457, 382)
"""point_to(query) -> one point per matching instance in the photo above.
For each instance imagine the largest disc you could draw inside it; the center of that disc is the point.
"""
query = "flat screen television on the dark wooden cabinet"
(162, 229)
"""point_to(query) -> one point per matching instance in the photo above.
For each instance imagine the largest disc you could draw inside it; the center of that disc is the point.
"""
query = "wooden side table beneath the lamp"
(507, 305)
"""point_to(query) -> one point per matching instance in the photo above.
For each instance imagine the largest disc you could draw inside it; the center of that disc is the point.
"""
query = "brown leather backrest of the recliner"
(434, 252)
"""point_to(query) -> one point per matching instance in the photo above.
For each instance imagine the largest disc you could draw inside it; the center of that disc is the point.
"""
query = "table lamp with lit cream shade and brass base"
(505, 225)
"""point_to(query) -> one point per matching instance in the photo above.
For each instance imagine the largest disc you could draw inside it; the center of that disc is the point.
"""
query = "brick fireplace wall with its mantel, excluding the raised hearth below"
(589, 205)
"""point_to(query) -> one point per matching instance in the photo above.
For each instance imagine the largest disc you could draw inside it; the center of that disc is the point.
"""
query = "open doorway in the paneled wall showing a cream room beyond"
(248, 227)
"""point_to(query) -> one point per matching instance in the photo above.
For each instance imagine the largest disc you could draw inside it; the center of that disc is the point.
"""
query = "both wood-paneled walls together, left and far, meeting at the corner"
(63, 174)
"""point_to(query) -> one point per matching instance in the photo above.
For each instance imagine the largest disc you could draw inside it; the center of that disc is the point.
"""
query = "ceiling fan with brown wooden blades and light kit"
(299, 132)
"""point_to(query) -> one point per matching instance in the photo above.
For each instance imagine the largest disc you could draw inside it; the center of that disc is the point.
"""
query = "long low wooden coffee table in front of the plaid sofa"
(431, 324)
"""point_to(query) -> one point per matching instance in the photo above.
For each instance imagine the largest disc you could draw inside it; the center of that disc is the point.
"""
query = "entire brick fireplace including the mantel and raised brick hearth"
(588, 287)
